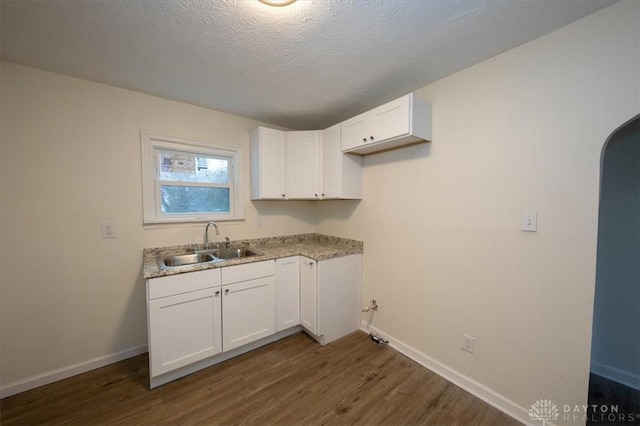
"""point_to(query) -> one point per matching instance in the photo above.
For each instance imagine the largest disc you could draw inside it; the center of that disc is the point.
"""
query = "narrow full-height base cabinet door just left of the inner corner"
(287, 292)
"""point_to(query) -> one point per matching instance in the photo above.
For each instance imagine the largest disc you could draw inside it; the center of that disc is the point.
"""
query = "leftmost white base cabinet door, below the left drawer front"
(183, 329)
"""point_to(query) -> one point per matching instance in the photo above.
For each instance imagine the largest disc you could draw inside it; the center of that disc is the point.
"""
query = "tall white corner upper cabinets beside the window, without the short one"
(302, 165)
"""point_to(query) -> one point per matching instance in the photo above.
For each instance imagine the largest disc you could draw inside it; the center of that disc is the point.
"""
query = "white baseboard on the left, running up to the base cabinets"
(66, 372)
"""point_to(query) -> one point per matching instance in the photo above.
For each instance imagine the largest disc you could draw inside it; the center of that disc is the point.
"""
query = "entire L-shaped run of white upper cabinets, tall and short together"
(327, 164)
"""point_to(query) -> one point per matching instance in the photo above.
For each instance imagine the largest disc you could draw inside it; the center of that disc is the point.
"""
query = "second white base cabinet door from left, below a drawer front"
(248, 309)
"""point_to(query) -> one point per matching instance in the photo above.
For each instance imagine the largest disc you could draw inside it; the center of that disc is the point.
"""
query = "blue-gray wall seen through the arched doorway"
(616, 319)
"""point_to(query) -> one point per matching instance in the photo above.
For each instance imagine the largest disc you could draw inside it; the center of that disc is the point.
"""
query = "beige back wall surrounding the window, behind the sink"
(71, 159)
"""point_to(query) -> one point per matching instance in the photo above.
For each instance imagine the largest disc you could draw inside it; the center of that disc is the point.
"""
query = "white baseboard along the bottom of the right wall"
(475, 388)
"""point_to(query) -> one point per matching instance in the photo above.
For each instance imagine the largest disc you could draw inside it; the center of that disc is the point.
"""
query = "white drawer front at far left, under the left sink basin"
(182, 283)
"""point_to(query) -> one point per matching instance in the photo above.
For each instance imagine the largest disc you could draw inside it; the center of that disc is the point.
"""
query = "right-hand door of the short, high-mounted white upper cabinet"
(390, 120)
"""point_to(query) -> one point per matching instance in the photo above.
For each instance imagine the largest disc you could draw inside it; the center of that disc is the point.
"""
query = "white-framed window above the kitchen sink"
(187, 181)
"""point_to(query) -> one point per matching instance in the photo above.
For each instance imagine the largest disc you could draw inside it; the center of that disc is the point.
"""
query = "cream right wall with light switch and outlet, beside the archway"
(440, 222)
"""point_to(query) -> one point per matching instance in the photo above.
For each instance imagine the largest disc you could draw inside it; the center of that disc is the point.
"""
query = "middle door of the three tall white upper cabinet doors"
(303, 164)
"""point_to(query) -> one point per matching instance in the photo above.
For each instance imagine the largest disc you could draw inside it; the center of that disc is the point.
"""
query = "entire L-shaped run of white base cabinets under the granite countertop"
(197, 319)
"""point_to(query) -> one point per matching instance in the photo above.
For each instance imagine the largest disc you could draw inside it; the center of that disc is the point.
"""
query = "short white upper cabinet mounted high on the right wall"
(404, 121)
